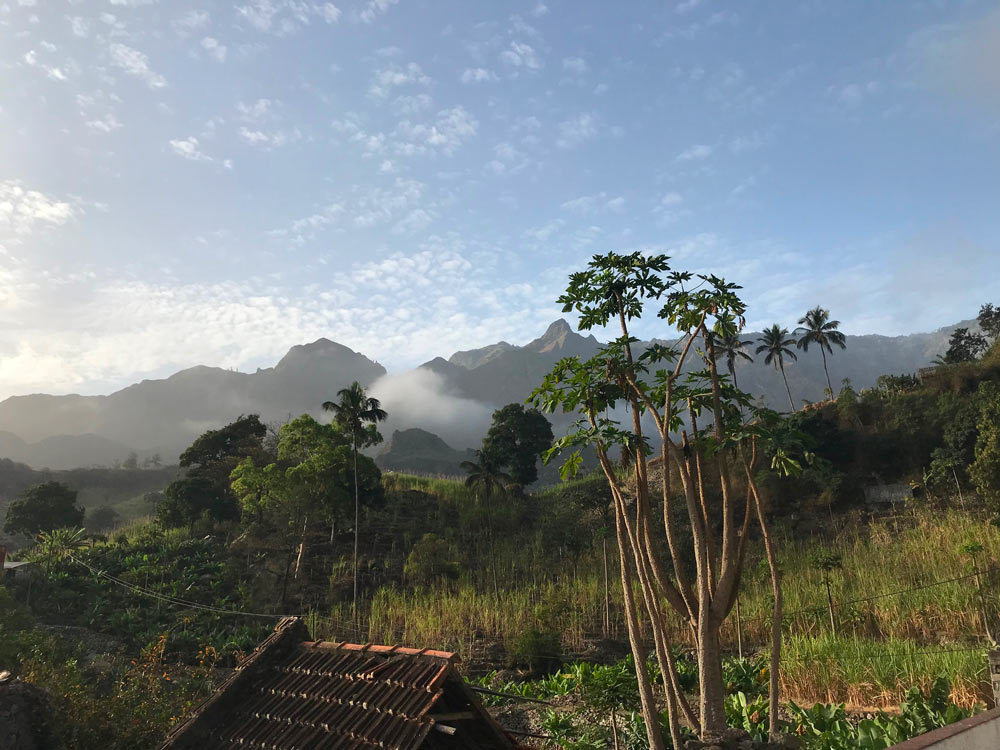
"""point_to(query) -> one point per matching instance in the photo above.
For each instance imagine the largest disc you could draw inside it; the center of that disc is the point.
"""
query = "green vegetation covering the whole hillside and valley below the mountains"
(883, 606)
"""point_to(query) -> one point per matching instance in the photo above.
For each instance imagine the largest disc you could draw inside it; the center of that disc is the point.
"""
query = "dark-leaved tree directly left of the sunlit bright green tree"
(204, 490)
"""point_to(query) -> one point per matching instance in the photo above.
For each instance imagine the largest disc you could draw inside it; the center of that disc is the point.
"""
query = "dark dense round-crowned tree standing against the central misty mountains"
(515, 442)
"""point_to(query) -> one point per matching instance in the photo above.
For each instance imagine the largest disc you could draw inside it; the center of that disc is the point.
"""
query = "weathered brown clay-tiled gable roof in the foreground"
(293, 693)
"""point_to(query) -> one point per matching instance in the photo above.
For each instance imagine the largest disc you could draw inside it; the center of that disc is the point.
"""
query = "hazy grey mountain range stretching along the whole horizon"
(452, 399)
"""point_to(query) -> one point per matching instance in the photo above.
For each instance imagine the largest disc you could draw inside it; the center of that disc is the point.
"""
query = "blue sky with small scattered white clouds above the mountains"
(189, 183)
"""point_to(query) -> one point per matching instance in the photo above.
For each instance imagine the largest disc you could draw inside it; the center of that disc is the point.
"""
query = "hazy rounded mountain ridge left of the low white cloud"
(164, 416)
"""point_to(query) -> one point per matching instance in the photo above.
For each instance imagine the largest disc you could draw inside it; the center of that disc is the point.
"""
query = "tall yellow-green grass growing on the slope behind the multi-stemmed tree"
(885, 644)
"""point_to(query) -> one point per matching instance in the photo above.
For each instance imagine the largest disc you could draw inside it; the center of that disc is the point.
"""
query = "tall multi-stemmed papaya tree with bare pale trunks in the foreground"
(615, 288)
